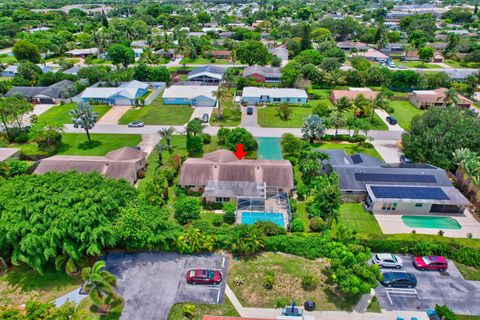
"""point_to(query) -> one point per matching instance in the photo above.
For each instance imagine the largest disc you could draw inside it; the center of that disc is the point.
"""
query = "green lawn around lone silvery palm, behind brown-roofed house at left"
(77, 143)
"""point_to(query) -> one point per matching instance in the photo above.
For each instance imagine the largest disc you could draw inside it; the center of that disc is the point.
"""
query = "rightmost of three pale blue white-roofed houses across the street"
(255, 95)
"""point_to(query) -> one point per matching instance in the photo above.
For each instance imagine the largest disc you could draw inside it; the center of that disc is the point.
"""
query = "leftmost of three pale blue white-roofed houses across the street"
(125, 94)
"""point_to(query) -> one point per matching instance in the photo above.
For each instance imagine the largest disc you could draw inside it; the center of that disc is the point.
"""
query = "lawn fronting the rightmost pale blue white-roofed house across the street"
(268, 117)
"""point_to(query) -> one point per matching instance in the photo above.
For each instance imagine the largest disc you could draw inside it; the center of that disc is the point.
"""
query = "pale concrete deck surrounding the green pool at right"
(392, 223)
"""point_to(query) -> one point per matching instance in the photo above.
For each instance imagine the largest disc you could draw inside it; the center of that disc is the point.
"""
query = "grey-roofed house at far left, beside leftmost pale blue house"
(52, 94)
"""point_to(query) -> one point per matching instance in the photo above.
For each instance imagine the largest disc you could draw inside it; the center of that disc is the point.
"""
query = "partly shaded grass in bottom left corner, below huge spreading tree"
(21, 284)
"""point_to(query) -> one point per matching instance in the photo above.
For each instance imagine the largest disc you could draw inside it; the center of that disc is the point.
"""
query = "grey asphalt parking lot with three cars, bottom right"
(434, 287)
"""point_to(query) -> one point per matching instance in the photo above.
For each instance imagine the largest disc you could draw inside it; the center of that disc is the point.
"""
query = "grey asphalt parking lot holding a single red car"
(151, 282)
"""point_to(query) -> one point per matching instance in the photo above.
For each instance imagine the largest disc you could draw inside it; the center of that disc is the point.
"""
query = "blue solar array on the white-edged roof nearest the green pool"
(389, 192)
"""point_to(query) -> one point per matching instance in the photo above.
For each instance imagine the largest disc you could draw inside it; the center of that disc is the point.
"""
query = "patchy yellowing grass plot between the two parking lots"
(288, 273)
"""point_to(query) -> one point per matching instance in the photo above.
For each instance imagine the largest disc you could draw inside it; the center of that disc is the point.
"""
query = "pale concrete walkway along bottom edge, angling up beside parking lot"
(266, 313)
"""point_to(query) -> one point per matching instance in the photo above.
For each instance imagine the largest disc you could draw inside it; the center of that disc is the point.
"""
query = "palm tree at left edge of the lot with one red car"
(99, 283)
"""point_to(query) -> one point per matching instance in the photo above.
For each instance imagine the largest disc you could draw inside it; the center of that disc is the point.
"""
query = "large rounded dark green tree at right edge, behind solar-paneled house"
(436, 134)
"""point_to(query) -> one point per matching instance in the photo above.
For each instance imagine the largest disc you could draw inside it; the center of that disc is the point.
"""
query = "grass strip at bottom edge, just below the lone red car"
(224, 309)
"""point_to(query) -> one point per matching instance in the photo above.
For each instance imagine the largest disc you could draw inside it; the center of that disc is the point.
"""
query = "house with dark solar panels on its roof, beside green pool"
(392, 188)
